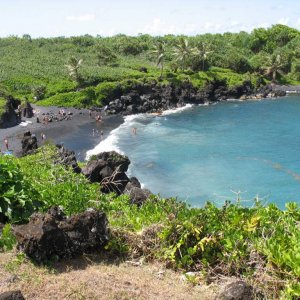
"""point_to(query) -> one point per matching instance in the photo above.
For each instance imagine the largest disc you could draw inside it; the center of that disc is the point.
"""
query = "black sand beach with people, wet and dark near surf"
(80, 132)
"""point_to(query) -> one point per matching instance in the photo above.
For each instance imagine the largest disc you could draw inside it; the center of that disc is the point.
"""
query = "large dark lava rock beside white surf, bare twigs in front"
(108, 168)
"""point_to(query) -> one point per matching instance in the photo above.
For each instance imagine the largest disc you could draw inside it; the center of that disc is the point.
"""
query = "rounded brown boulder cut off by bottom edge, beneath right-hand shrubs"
(236, 290)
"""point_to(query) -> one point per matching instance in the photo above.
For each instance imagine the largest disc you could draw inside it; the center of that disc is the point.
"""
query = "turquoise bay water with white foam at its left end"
(214, 152)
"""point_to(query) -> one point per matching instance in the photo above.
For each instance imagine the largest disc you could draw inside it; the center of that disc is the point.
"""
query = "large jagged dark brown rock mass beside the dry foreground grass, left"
(55, 235)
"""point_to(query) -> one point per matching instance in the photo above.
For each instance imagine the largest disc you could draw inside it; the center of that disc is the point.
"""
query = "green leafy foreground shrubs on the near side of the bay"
(260, 244)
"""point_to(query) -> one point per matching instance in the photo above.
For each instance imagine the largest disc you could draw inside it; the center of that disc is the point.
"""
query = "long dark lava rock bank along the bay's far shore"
(157, 98)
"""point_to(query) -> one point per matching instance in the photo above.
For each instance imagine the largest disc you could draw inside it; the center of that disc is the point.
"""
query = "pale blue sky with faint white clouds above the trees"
(49, 18)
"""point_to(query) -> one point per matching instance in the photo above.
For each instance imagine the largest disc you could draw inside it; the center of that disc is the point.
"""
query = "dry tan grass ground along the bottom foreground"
(96, 278)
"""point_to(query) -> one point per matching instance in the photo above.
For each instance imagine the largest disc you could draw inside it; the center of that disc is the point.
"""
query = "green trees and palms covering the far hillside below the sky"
(68, 71)
